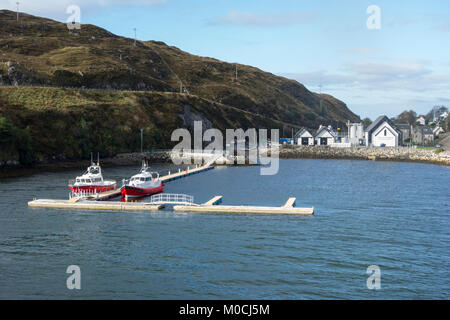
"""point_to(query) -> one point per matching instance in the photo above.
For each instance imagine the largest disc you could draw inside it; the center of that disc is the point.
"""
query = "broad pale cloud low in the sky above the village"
(371, 89)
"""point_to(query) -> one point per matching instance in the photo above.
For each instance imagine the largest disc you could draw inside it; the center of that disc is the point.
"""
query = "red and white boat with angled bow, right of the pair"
(145, 183)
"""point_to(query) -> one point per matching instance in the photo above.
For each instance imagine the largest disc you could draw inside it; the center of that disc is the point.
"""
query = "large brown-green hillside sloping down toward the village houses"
(40, 52)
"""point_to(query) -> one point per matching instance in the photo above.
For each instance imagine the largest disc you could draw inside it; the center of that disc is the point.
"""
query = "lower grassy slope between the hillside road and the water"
(38, 123)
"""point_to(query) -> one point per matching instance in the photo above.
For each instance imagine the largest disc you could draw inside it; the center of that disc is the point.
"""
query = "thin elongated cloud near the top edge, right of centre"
(263, 19)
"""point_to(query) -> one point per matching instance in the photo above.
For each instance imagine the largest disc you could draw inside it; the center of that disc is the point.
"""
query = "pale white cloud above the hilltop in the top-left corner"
(56, 9)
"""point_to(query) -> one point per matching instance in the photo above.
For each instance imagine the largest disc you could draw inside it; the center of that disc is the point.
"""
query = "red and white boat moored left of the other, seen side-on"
(92, 181)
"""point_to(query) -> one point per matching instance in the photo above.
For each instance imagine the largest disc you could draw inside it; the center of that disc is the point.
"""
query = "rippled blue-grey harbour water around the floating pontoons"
(394, 215)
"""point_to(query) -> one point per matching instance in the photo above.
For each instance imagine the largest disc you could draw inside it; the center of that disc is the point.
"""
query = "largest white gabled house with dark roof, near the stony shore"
(382, 132)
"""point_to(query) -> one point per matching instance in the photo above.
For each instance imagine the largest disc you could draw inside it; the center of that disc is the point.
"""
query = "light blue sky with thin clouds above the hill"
(327, 45)
